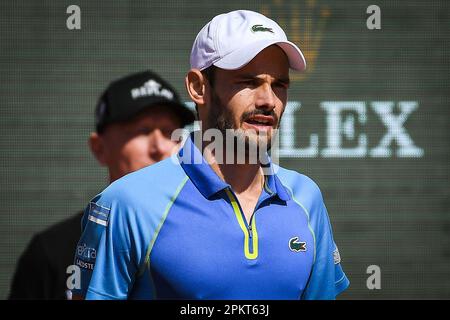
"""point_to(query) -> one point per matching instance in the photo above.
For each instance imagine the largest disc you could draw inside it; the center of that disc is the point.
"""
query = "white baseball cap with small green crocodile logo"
(231, 40)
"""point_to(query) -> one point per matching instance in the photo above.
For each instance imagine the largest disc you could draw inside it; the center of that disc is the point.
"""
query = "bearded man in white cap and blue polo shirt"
(218, 228)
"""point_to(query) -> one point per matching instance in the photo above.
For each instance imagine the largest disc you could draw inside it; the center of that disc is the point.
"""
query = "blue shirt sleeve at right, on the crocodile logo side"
(327, 279)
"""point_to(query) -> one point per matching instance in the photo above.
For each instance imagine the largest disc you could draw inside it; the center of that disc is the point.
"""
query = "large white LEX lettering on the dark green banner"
(341, 119)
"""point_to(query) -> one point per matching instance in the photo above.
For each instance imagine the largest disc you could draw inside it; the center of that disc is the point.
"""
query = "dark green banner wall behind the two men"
(391, 211)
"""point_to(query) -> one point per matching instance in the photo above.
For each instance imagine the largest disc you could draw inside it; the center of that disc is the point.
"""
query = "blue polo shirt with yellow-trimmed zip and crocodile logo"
(176, 230)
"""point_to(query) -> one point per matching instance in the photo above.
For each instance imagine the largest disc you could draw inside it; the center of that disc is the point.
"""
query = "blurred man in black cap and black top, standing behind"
(135, 117)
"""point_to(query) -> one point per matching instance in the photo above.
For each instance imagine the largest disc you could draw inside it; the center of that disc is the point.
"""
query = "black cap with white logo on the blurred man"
(126, 97)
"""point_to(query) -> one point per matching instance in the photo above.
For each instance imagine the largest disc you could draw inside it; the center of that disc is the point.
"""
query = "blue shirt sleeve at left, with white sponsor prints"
(103, 253)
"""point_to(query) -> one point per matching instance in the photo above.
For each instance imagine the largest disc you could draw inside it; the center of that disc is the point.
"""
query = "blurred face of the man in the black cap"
(139, 142)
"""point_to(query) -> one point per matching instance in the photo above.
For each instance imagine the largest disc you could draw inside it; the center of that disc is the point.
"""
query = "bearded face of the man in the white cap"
(251, 99)
